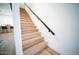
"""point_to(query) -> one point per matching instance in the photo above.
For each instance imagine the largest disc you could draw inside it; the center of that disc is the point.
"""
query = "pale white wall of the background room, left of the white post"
(5, 14)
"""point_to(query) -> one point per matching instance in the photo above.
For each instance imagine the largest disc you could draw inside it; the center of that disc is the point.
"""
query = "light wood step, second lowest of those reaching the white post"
(31, 42)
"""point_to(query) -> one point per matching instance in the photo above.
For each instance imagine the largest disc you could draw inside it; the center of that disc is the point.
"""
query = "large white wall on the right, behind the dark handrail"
(63, 20)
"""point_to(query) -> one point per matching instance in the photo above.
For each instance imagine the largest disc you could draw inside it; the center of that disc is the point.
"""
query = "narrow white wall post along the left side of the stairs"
(17, 28)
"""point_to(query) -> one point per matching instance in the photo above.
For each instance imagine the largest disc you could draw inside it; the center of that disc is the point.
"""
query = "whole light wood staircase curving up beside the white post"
(32, 41)
